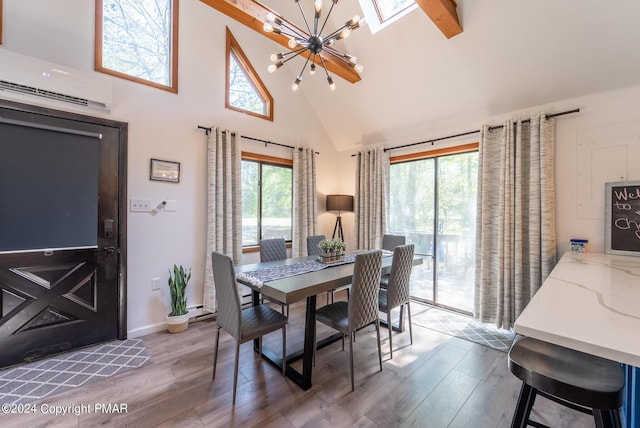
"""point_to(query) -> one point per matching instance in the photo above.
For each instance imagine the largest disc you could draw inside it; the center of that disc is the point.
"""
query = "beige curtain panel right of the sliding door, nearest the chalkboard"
(515, 241)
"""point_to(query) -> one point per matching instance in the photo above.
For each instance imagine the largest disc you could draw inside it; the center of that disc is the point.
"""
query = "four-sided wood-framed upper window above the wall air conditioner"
(138, 40)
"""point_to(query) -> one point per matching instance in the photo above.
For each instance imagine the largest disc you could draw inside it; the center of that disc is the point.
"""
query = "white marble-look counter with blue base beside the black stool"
(590, 302)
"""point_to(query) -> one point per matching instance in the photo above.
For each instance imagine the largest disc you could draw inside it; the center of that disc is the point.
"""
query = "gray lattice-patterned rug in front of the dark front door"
(33, 381)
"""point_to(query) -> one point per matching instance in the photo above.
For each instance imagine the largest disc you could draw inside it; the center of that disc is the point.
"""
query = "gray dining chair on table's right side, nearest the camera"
(362, 308)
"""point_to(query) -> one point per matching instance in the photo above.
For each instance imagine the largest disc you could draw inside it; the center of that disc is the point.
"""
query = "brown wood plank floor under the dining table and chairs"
(439, 381)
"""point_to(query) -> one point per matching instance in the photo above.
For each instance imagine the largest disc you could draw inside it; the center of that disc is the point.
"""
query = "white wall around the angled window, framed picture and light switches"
(164, 125)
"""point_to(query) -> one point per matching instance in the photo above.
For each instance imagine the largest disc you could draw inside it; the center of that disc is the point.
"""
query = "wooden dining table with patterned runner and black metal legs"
(293, 280)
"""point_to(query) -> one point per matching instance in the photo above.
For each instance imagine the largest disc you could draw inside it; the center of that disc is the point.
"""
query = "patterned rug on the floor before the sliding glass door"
(466, 328)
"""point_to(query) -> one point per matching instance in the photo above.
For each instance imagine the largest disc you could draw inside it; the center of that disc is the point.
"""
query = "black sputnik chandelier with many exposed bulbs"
(312, 41)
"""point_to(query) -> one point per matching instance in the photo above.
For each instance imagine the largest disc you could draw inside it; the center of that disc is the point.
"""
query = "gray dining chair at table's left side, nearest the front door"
(243, 324)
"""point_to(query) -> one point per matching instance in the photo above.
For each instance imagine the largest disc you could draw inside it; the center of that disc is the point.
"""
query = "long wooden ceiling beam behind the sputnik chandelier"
(254, 15)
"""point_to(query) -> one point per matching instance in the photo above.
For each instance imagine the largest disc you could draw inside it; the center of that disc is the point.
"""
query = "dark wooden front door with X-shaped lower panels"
(62, 234)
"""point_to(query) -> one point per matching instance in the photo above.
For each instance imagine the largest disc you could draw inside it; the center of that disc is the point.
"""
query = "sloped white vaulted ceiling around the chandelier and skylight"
(511, 55)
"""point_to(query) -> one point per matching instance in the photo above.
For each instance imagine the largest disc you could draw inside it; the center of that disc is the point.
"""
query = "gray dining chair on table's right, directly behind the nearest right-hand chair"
(396, 294)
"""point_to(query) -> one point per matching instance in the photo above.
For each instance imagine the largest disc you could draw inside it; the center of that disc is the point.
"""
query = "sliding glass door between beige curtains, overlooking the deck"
(433, 203)
